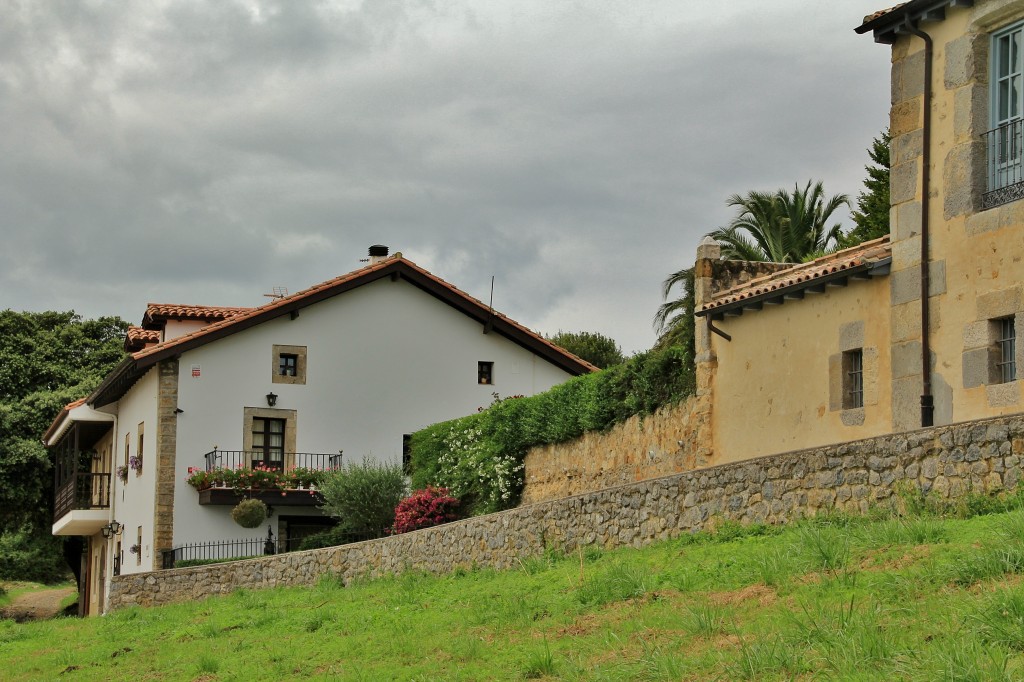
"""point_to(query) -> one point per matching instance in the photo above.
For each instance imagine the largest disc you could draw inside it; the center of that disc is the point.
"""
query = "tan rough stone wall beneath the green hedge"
(674, 440)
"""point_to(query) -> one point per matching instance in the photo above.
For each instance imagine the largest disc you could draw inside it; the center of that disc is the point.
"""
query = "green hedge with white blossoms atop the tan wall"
(480, 458)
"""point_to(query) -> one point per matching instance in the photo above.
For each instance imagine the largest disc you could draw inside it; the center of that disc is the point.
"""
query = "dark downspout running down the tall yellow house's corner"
(927, 400)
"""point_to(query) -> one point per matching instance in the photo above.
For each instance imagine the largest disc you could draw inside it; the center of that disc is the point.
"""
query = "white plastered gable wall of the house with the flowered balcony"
(383, 361)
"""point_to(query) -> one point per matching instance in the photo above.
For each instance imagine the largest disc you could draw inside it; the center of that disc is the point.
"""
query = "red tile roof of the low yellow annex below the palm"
(803, 275)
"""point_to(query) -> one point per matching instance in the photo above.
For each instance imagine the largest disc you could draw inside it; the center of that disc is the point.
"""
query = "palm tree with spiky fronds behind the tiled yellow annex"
(781, 227)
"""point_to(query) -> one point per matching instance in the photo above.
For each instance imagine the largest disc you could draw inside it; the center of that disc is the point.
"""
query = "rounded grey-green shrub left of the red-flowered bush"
(363, 497)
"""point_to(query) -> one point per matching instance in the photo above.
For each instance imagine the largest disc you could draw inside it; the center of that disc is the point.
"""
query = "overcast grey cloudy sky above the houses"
(208, 152)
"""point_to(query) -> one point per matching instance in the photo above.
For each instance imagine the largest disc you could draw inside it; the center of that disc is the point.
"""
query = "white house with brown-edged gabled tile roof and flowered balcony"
(351, 366)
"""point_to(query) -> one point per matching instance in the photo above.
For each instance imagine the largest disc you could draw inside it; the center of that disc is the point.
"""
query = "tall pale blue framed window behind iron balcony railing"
(1004, 141)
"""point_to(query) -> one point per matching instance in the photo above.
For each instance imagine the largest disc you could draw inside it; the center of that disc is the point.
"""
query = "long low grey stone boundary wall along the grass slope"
(947, 461)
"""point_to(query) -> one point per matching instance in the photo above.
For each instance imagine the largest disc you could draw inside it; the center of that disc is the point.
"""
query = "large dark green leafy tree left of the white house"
(48, 360)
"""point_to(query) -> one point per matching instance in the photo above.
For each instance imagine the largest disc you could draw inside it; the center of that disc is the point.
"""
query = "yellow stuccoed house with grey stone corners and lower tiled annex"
(905, 332)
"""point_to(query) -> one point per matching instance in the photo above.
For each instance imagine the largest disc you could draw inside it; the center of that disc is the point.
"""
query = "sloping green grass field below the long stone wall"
(840, 599)
